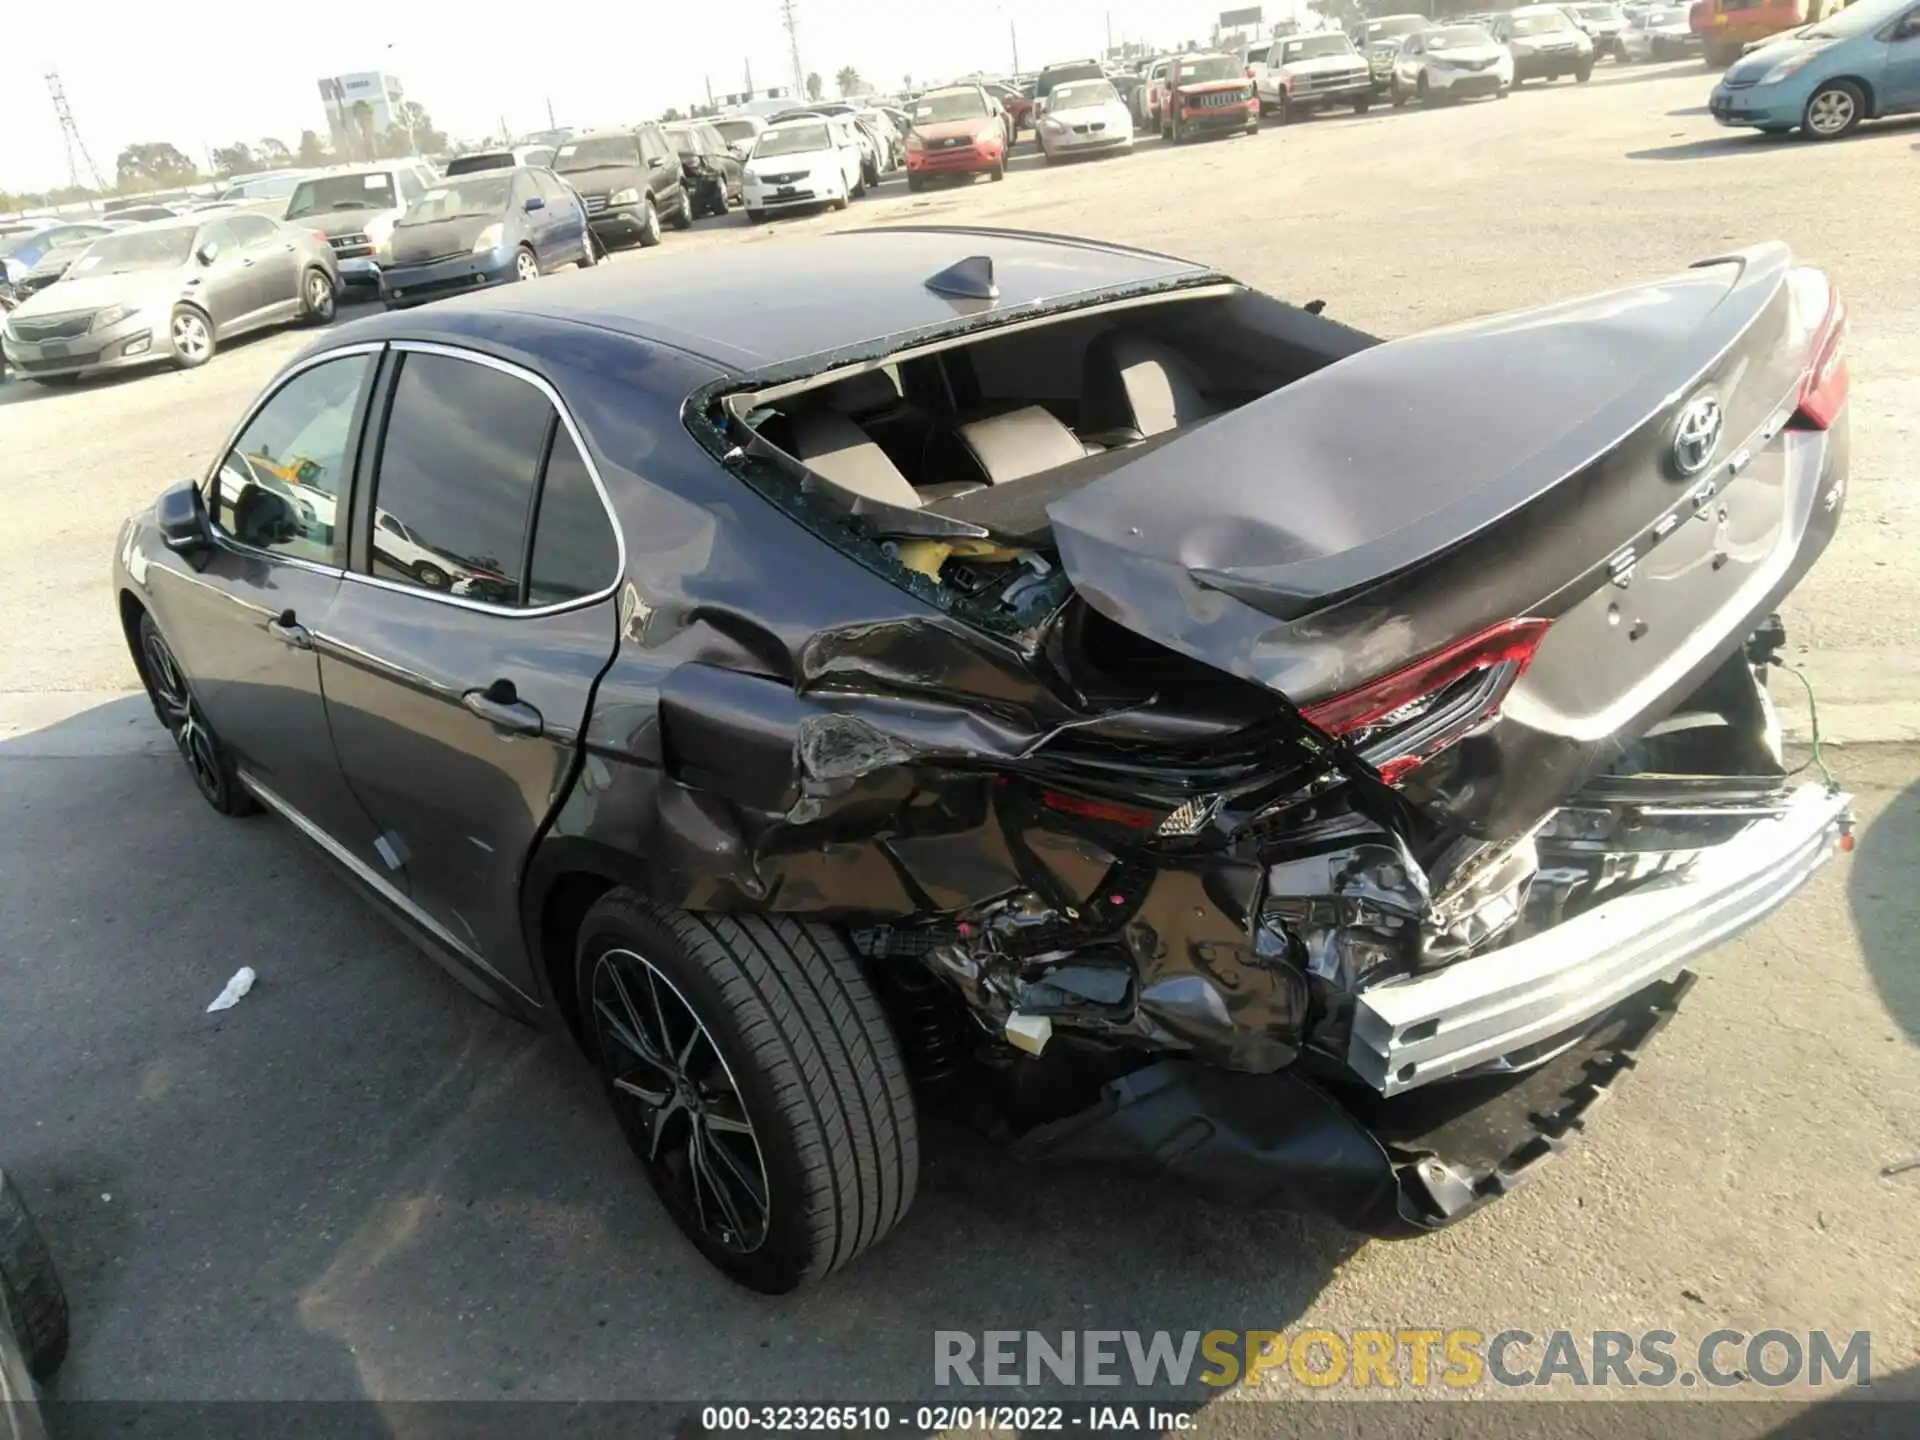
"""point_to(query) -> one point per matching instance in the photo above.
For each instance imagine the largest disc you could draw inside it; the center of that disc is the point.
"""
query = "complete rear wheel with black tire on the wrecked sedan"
(805, 1059)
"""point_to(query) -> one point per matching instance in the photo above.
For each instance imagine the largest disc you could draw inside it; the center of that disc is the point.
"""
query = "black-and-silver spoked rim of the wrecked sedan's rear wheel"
(681, 1103)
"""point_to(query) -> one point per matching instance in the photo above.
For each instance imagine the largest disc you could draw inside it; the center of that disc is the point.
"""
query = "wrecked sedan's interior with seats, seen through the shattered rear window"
(996, 429)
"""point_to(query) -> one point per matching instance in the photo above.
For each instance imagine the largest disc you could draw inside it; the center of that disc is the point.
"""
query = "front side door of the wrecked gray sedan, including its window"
(243, 623)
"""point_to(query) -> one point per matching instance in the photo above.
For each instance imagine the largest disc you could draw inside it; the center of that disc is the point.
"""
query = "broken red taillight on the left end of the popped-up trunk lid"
(1404, 719)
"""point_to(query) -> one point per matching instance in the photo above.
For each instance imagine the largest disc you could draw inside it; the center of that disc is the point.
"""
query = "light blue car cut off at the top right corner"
(1827, 78)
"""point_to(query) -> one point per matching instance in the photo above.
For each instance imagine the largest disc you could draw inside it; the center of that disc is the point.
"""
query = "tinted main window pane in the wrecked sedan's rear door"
(458, 469)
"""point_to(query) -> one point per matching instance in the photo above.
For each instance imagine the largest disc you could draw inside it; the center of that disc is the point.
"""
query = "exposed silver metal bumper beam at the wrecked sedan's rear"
(1418, 1030)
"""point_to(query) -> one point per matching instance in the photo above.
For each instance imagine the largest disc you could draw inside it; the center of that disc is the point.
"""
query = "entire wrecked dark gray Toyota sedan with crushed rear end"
(1032, 677)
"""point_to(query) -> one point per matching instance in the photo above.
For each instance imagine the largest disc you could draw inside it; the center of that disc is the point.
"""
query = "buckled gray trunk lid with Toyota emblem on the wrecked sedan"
(1433, 489)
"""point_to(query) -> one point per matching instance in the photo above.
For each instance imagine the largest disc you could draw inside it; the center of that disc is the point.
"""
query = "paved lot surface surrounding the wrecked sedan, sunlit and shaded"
(364, 1184)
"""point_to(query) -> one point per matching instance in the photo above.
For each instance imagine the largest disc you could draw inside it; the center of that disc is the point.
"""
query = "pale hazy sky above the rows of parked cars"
(208, 78)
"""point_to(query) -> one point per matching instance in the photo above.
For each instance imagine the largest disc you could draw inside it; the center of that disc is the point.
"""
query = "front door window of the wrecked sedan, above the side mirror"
(281, 485)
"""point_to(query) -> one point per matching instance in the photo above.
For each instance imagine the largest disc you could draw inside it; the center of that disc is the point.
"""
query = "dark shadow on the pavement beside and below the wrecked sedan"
(362, 1184)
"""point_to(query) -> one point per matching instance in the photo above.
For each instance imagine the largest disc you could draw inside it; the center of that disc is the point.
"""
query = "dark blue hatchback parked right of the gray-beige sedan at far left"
(485, 229)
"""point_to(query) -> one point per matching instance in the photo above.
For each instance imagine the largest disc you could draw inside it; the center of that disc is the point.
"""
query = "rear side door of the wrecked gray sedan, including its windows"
(458, 704)
